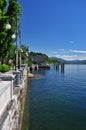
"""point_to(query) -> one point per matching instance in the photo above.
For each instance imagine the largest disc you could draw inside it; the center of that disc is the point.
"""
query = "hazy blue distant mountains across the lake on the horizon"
(69, 62)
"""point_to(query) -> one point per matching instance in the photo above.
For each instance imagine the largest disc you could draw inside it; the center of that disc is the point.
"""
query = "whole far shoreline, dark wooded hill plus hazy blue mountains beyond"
(40, 58)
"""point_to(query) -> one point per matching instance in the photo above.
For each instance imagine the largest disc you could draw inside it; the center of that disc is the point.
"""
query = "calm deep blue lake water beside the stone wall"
(58, 99)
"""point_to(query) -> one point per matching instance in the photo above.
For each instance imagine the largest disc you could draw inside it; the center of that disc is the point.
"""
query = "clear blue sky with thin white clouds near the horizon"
(55, 27)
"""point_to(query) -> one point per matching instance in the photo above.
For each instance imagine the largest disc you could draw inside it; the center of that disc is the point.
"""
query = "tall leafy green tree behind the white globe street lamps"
(11, 14)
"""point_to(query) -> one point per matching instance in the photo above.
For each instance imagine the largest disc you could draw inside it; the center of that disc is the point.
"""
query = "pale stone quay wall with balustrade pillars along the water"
(11, 85)
